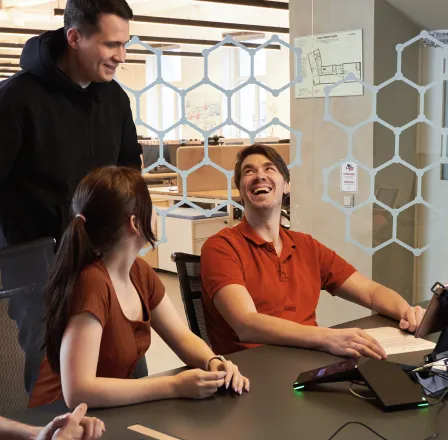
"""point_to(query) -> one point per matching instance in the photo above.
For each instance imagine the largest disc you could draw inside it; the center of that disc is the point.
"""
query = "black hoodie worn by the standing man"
(53, 132)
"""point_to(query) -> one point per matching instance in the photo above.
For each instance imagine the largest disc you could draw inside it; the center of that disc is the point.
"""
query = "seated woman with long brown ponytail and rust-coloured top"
(103, 301)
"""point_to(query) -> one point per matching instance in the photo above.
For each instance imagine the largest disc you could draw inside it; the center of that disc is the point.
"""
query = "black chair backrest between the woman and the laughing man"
(189, 273)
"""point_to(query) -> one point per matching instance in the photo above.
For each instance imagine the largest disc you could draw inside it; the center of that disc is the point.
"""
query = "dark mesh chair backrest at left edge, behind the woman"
(24, 271)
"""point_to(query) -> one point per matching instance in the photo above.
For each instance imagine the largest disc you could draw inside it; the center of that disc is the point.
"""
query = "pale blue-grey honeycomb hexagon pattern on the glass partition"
(396, 131)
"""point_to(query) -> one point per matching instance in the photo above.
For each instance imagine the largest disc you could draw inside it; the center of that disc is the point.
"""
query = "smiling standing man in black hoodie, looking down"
(62, 116)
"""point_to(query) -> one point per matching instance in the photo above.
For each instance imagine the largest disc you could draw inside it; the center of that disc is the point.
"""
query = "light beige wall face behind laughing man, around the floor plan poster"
(324, 144)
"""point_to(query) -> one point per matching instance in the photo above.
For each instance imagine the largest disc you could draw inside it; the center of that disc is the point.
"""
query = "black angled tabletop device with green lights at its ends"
(393, 389)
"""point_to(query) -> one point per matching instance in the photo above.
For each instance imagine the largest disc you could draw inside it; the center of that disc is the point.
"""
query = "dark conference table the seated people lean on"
(271, 410)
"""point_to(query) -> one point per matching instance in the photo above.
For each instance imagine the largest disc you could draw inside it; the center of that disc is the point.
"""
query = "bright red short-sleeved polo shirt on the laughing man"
(287, 287)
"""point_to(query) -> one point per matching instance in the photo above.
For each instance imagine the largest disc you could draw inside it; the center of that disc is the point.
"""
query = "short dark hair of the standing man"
(83, 14)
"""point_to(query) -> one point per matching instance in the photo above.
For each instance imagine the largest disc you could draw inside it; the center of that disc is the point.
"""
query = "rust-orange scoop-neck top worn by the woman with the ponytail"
(123, 341)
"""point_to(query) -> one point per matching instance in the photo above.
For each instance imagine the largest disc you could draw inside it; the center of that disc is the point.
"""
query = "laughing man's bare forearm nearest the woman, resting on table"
(265, 329)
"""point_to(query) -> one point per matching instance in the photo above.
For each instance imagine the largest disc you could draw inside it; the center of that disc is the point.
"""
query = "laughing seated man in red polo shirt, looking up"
(261, 283)
